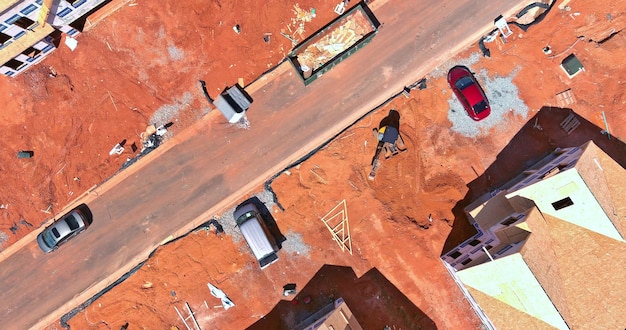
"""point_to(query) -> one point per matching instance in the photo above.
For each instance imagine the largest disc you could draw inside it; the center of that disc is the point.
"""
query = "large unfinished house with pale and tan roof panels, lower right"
(550, 248)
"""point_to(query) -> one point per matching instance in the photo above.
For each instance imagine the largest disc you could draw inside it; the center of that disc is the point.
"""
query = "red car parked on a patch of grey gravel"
(469, 92)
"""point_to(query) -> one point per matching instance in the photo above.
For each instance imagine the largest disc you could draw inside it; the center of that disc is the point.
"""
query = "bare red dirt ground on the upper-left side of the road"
(110, 87)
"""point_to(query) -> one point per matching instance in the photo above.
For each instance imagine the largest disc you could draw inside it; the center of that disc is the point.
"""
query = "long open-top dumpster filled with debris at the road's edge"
(334, 43)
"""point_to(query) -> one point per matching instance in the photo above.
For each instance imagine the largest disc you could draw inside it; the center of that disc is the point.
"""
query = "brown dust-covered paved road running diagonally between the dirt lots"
(218, 163)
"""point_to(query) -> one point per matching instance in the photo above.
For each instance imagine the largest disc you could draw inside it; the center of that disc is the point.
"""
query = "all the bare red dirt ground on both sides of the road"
(72, 121)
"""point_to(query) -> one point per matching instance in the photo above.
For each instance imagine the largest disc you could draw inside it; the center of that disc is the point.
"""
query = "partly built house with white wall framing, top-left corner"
(25, 45)
